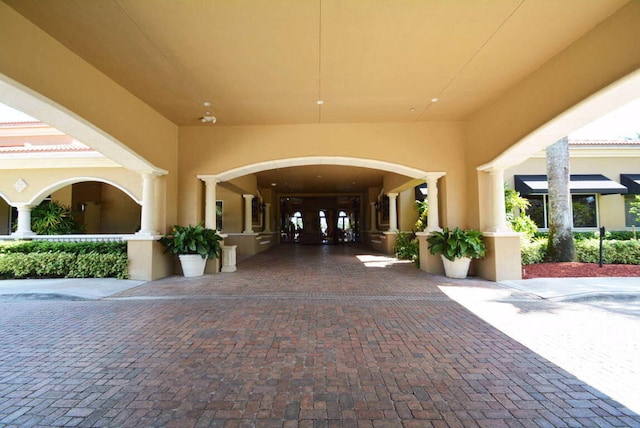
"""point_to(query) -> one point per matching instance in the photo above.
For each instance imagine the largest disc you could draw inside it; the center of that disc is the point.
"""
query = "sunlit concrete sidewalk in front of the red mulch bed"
(576, 289)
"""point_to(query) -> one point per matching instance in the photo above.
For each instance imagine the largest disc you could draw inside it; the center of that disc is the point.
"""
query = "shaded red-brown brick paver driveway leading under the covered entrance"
(300, 336)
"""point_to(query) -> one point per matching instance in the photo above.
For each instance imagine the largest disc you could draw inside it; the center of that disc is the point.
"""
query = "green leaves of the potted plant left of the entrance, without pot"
(193, 240)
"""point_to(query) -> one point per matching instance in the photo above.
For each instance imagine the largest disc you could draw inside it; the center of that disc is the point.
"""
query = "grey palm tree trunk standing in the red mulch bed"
(560, 247)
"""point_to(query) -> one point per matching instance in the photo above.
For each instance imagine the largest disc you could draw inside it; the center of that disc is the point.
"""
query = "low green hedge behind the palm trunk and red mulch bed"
(587, 251)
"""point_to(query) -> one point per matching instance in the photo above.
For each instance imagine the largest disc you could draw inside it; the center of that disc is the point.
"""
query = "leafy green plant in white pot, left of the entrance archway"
(193, 245)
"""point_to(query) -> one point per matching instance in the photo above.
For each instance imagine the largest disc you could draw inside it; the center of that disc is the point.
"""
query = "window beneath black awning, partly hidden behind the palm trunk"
(583, 207)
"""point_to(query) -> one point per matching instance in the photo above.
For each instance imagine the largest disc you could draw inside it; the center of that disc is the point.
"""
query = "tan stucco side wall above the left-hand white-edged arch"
(63, 80)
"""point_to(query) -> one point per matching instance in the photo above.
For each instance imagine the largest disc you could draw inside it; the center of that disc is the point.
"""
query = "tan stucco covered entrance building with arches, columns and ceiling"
(145, 98)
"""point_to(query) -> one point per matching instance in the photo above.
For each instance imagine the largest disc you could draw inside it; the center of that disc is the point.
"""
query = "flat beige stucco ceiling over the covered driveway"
(268, 62)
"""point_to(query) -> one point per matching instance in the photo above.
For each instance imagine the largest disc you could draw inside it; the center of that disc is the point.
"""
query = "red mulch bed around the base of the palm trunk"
(572, 269)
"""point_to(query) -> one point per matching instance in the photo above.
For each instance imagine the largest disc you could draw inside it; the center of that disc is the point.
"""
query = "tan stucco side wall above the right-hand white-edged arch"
(530, 109)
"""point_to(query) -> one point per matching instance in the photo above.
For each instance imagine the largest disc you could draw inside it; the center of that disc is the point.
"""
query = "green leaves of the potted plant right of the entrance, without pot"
(457, 243)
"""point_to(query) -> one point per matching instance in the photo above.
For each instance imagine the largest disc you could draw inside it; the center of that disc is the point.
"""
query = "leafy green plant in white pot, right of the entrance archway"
(457, 247)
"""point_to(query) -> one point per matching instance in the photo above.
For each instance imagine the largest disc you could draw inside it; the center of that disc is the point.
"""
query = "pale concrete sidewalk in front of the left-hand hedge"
(64, 288)
